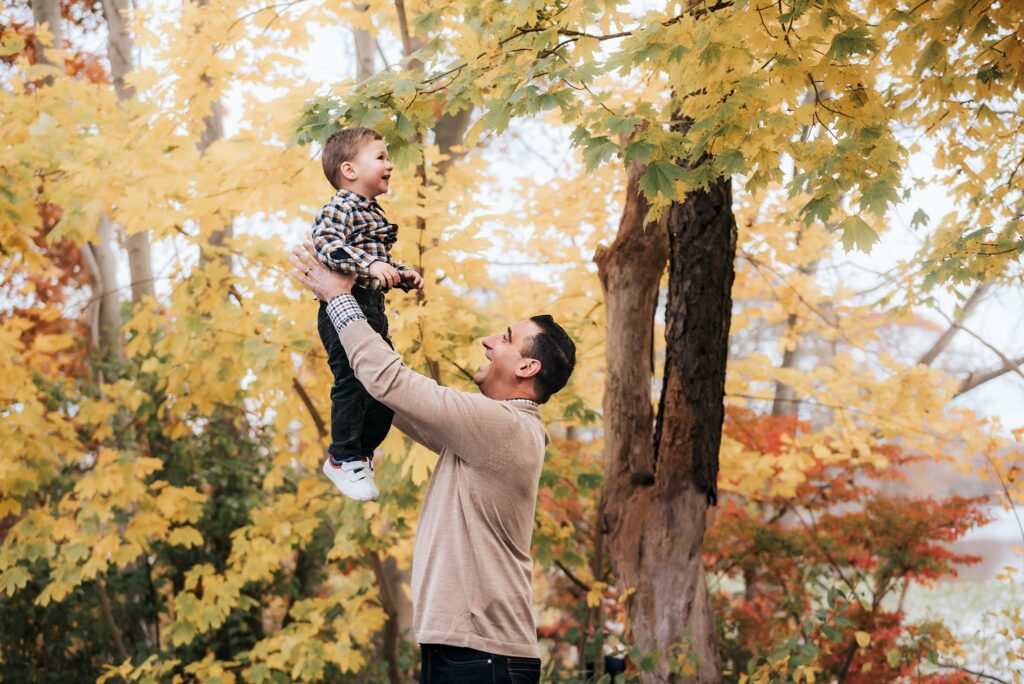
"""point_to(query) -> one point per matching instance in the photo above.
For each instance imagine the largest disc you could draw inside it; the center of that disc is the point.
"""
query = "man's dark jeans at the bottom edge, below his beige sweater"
(452, 665)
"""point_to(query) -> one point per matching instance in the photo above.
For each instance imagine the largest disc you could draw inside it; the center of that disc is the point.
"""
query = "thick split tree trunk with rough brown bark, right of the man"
(660, 481)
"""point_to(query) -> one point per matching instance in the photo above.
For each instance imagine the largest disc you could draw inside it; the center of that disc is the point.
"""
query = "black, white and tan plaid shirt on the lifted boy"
(351, 233)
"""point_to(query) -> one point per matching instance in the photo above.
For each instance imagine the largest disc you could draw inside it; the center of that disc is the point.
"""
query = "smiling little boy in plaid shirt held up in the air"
(353, 236)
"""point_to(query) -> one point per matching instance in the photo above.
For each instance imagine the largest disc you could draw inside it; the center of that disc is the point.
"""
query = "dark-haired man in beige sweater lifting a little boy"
(472, 566)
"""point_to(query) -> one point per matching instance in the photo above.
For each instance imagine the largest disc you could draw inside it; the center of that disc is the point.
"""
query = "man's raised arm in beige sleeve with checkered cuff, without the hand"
(472, 425)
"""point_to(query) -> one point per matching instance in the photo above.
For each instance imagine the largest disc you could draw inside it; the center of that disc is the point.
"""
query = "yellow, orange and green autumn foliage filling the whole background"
(162, 515)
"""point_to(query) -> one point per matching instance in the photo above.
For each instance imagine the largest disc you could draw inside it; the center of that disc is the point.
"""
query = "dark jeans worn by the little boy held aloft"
(359, 422)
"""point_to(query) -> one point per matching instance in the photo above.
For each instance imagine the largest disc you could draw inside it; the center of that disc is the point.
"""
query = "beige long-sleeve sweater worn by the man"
(472, 563)
